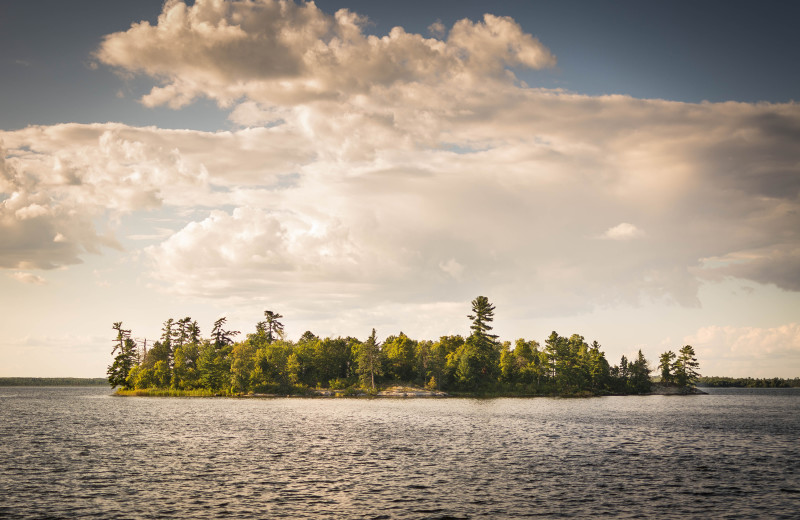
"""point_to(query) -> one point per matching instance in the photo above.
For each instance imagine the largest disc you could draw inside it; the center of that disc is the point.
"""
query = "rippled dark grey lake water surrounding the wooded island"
(81, 453)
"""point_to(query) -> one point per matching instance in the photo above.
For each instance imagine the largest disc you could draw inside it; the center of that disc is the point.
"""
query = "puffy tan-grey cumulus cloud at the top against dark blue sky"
(277, 52)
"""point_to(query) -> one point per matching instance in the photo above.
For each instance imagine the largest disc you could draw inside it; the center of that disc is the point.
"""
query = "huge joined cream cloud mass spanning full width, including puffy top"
(408, 169)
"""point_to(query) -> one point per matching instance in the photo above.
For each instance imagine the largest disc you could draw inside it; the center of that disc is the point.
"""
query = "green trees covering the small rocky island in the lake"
(265, 361)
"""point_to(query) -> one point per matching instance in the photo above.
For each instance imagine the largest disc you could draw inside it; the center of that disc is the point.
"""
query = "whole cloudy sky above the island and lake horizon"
(628, 171)
